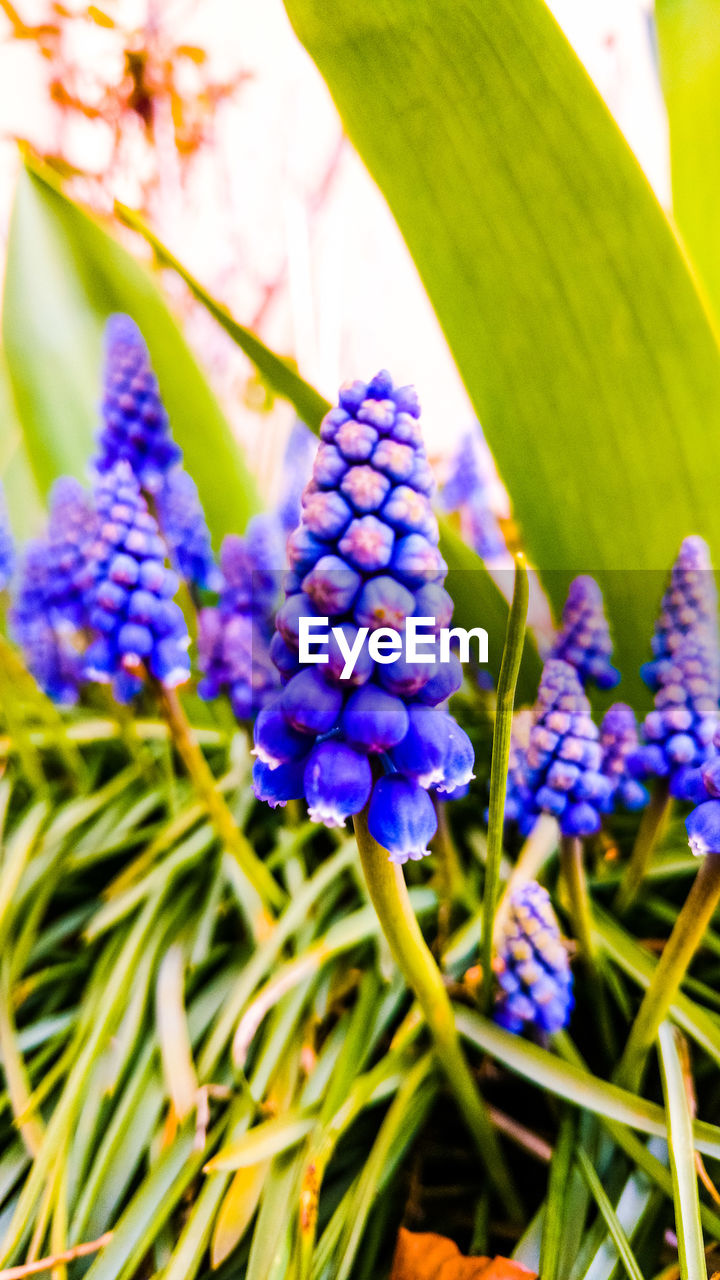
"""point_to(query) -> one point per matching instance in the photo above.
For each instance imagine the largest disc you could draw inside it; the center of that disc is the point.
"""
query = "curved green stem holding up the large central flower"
(389, 894)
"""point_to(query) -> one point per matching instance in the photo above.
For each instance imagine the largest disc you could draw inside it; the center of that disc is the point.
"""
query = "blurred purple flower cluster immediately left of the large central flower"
(234, 638)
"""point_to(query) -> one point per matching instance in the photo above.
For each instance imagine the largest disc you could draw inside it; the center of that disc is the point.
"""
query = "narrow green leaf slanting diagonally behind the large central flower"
(479, 601)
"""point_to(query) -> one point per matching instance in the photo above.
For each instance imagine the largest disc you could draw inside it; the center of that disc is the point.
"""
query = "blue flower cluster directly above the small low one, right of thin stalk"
(564, 755)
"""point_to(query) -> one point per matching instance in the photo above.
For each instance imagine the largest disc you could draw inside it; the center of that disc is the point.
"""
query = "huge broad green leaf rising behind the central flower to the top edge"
(562, 290)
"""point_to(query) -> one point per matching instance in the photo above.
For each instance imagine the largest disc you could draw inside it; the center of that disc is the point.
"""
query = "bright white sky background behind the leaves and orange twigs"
(347, 299)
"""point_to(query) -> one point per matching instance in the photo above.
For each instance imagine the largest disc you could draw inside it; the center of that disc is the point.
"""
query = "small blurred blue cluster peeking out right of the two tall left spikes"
(185, 529)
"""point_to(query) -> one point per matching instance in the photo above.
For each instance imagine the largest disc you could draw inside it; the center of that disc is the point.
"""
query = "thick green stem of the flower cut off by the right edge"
(672, 968)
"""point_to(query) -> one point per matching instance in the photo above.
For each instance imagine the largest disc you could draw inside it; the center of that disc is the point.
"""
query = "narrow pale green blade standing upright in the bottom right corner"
(681, 1142)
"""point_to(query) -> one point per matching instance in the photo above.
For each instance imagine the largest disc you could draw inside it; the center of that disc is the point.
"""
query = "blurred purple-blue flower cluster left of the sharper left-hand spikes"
(49, 614)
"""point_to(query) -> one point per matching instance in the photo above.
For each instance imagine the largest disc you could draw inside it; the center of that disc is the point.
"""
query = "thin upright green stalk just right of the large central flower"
(511, 666)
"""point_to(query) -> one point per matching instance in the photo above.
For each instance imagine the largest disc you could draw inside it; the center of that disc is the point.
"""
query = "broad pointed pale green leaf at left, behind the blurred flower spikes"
(65, 277)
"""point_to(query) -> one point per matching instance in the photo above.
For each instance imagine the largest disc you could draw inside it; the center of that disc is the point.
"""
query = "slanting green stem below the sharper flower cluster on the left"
(235, 842)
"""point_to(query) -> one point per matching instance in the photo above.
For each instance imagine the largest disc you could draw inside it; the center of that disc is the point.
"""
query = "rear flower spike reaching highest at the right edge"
(690, 604)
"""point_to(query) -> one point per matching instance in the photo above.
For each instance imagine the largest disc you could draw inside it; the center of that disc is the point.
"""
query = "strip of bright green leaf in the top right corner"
(689, 35)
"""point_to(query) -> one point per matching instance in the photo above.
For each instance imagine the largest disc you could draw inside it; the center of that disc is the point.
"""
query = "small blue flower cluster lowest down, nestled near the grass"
(532, 967)
